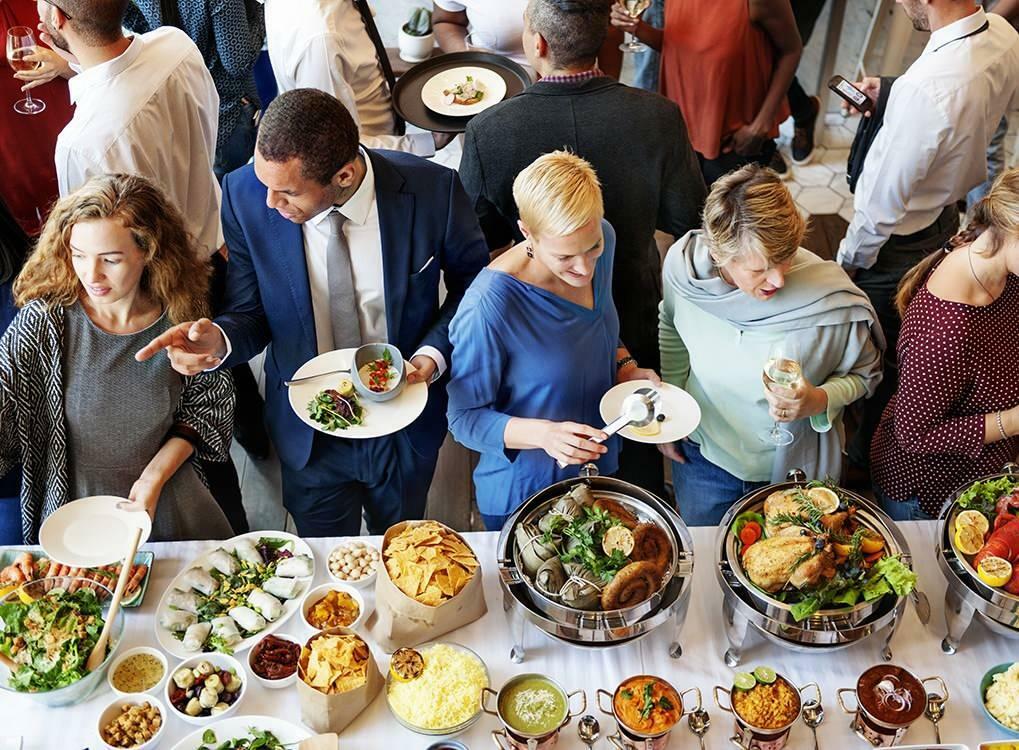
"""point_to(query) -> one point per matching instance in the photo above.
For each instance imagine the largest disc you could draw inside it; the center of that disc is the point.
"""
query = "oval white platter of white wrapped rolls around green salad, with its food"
(235, 594)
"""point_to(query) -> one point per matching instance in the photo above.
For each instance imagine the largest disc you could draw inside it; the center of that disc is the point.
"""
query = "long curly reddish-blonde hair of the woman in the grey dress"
(176, 276)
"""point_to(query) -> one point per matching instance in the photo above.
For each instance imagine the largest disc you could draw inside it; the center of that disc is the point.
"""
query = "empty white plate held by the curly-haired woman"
(92, 531)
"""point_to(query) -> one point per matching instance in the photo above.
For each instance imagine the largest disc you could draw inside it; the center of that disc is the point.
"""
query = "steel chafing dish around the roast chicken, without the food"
(748, 611)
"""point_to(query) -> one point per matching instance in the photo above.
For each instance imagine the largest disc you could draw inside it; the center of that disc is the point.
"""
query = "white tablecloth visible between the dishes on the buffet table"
(702, 665)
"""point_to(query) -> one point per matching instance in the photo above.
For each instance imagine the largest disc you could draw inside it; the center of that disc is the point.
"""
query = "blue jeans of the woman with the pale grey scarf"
(705, 492)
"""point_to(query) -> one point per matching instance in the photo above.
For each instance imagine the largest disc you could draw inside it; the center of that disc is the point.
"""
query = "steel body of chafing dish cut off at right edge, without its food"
(968, 597)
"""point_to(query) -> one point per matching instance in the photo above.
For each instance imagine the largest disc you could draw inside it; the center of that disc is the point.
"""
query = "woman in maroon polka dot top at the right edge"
(956, 415)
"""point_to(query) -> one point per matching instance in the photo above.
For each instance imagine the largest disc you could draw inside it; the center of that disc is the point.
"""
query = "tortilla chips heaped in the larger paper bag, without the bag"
(430, 563)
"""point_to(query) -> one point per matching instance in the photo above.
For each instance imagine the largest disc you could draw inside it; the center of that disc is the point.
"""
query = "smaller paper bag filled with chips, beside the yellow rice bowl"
(338, 679)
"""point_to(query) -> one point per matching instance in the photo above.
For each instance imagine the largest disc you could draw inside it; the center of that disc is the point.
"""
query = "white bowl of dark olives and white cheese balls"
(206, 688)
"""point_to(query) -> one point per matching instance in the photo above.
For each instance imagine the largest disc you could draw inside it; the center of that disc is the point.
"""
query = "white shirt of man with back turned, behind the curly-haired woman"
(152, 112)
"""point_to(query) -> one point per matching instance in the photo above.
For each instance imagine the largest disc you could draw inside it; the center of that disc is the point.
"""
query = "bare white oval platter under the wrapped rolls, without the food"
(170, 644)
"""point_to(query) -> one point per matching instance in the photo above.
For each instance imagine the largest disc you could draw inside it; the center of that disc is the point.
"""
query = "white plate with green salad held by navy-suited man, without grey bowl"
(332, 405)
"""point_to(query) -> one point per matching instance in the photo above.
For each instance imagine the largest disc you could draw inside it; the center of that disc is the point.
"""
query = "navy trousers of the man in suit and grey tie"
(384, 478)
